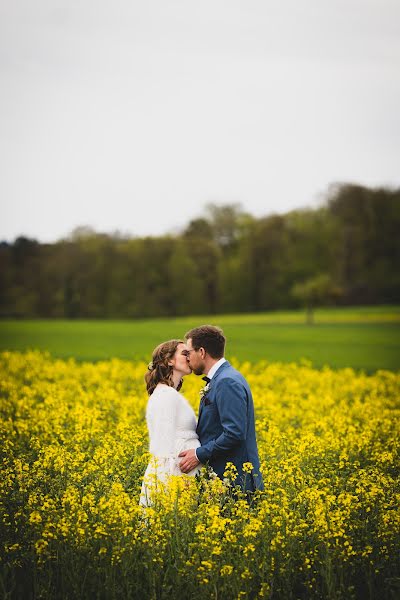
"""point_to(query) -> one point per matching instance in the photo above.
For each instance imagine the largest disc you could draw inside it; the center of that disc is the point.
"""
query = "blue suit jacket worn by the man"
(226, 427)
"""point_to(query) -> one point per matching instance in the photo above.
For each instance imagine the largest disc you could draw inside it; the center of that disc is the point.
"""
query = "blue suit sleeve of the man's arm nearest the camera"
(231, 401)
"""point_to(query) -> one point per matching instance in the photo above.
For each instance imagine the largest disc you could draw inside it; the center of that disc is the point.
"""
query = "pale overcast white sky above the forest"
(131, 115)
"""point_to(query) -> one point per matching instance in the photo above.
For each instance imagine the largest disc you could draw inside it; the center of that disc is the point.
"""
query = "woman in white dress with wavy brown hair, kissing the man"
(171, 421)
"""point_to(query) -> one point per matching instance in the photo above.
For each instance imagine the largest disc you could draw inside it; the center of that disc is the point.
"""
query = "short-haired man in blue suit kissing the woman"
(226, 416)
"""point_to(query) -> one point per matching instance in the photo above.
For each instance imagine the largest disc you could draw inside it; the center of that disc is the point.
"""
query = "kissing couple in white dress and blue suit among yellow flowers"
(225, 429)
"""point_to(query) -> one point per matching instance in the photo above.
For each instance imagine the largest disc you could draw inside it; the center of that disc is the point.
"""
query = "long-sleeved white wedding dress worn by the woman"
(171, 422)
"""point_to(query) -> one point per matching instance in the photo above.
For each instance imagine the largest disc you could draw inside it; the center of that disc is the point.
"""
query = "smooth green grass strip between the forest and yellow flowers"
(363, 338)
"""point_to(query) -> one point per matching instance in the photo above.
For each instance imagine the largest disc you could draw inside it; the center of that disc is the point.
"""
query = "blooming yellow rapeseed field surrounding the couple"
(74, 450)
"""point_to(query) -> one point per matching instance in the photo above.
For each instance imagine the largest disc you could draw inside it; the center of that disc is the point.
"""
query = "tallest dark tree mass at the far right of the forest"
(368, 224)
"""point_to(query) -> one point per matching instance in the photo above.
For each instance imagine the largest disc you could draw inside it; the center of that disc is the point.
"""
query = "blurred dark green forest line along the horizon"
(345, 252)
